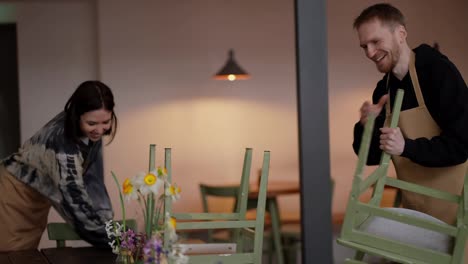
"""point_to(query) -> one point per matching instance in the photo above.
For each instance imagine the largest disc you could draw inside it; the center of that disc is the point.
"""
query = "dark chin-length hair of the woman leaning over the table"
(89, 96)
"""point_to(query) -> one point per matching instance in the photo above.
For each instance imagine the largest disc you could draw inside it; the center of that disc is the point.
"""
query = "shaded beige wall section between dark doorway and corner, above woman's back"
(57, 50)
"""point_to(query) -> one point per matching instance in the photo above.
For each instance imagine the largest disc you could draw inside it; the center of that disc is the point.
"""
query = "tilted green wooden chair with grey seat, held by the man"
(398, 234)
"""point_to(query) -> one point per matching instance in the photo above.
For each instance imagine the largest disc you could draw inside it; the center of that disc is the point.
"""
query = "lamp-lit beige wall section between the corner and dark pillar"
(161, 71)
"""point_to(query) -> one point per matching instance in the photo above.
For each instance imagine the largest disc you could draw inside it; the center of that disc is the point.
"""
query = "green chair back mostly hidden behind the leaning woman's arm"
(61, 232)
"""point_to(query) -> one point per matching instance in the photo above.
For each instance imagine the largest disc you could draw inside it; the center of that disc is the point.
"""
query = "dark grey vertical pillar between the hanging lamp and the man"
(312, 84)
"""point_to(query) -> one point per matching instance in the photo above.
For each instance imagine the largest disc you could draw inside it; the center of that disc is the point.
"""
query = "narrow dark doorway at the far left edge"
(9, 92)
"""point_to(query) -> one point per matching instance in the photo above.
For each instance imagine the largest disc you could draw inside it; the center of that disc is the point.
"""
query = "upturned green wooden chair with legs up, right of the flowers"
(236, 221)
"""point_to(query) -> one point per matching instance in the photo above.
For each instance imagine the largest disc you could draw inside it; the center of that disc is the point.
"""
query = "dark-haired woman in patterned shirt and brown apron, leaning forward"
(61, 165)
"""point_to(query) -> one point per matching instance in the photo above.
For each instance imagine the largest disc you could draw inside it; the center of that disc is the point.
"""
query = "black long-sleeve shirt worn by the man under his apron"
(446, 96)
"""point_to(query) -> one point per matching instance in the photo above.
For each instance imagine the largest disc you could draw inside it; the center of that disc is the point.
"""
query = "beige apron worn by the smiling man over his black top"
(416, 123)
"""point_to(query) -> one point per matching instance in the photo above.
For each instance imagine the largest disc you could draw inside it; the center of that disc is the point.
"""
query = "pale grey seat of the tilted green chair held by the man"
(409, 234)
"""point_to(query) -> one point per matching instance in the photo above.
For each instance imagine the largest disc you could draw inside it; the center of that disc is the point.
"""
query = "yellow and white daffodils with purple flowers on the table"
(146, 247)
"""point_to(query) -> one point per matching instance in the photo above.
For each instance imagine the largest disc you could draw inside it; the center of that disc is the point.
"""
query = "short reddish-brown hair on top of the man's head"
(386, 13)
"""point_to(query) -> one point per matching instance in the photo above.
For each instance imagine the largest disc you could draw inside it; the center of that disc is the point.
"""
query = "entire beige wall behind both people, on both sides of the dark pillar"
(159, 57)
